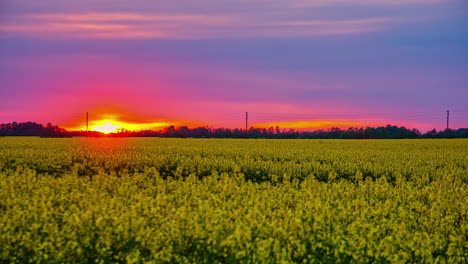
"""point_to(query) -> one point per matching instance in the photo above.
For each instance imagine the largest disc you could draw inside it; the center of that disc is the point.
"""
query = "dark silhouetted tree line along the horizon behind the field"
(387, 132)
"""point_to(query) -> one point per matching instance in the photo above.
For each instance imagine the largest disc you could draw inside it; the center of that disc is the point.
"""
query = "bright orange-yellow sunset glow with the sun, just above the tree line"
(112, 118)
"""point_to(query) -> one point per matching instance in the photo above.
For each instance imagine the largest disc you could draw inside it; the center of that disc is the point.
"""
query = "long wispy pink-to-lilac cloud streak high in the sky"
(176, 26)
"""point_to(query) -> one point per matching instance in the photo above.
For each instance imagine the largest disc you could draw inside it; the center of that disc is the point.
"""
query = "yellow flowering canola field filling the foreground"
(147, 200)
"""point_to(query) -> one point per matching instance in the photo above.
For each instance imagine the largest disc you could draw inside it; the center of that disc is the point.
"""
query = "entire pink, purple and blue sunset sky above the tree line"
(146, 64)
